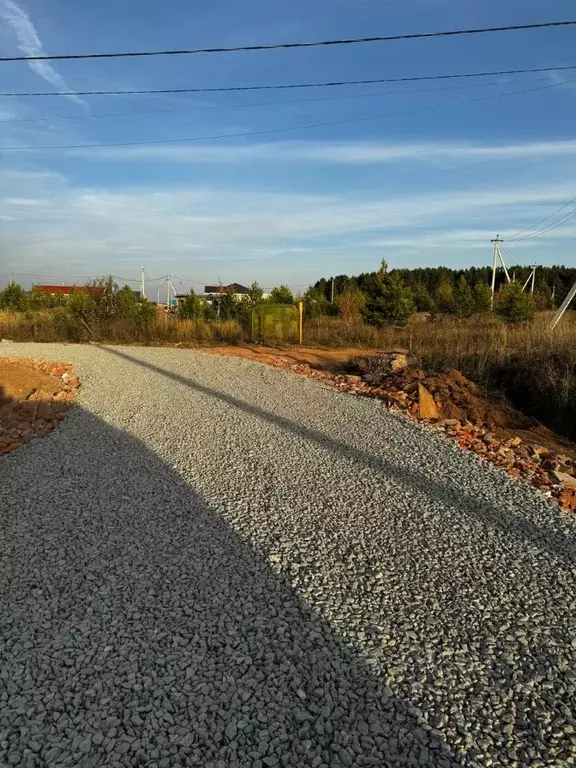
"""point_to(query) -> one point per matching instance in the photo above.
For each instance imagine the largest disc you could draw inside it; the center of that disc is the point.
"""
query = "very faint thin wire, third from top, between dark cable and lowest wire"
(314, 100)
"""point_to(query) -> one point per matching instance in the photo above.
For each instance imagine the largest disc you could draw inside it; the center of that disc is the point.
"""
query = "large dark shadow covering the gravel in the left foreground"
(137, 628)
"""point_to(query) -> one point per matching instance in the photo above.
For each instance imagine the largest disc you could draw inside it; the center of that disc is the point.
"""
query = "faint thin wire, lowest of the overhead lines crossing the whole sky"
(269, 131)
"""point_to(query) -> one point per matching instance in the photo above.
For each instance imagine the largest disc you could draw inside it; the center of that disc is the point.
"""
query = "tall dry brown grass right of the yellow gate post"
(534, 367)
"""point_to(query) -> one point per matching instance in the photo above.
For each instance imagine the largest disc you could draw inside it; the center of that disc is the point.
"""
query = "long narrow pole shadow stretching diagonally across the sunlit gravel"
(543, 537)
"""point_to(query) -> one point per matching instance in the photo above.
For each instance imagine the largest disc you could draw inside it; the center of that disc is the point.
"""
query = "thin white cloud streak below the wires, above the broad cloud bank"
(335, 152)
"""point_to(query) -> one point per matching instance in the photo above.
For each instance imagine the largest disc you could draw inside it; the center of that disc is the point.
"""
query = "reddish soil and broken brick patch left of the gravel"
(34, 396)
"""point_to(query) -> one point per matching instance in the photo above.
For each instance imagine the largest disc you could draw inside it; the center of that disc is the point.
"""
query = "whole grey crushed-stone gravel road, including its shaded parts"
(215, 563)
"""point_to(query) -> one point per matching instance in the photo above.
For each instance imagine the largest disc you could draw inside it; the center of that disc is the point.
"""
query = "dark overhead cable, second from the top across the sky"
(285, 86)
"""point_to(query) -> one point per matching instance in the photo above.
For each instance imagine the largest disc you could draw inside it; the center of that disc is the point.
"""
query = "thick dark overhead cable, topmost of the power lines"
(276, 46)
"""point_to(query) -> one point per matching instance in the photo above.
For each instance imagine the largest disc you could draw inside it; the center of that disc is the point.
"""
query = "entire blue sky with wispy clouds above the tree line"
(441, 168)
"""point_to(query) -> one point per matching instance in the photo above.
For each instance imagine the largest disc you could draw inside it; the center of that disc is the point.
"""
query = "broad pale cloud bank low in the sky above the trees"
(243, 235)
